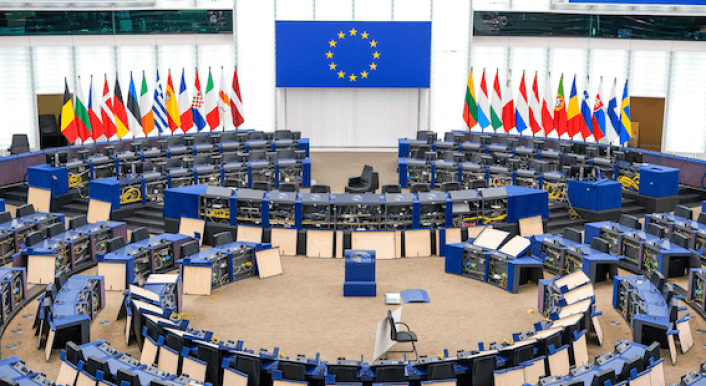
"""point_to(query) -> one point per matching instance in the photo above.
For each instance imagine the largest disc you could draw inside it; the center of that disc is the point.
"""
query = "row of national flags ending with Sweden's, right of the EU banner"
(498, 109)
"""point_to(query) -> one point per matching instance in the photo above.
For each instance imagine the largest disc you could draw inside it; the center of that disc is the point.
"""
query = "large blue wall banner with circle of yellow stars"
(353, 54)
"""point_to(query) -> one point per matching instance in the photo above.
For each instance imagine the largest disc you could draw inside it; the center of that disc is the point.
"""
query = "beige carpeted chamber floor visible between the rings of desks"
(304, 311)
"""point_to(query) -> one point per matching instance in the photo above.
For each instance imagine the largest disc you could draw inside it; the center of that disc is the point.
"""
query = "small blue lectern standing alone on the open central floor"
(360, 273)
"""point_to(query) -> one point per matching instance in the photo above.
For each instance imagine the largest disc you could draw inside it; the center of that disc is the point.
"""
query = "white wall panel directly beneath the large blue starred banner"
(346, 117)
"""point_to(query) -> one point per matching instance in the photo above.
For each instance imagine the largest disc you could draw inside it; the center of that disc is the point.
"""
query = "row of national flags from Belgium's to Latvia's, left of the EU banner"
(168, 111)
